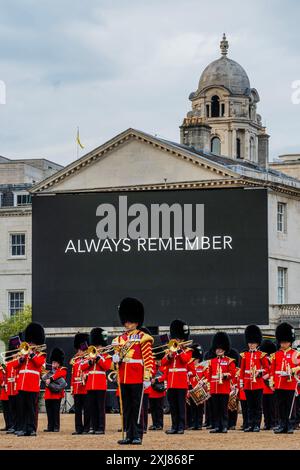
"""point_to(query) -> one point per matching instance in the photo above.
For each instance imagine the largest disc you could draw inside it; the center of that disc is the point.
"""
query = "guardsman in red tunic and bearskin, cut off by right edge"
(284, 376)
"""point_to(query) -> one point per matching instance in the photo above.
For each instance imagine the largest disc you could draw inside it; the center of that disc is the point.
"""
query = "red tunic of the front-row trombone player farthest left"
(29, 372)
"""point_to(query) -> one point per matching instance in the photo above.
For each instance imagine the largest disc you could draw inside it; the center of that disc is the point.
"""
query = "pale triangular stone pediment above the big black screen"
(134, 158)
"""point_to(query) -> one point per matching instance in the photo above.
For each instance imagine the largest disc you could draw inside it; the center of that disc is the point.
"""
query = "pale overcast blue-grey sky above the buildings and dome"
(106, 65)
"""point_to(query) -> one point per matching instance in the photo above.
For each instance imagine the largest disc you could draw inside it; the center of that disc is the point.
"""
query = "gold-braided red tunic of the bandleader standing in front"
(138, 363)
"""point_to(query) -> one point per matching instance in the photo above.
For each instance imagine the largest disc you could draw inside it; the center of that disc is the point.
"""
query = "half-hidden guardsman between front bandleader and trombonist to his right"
(157, 394)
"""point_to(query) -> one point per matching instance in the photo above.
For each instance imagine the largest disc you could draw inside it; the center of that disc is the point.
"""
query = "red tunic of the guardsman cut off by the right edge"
(282, 365)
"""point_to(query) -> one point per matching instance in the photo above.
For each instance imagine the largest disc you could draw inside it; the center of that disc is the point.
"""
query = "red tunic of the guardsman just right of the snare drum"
(221, 371)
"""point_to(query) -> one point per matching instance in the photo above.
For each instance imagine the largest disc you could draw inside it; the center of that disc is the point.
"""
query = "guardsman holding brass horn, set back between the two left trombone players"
(55, 382)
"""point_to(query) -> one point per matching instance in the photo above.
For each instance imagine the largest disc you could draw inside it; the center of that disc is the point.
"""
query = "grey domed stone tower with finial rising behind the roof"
(223, 119)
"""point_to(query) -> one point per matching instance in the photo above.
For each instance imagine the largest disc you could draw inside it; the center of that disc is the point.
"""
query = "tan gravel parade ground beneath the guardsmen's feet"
(193, 440)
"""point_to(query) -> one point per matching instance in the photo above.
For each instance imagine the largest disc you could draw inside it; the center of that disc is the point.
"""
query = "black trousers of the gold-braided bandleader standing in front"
(131, 399)
